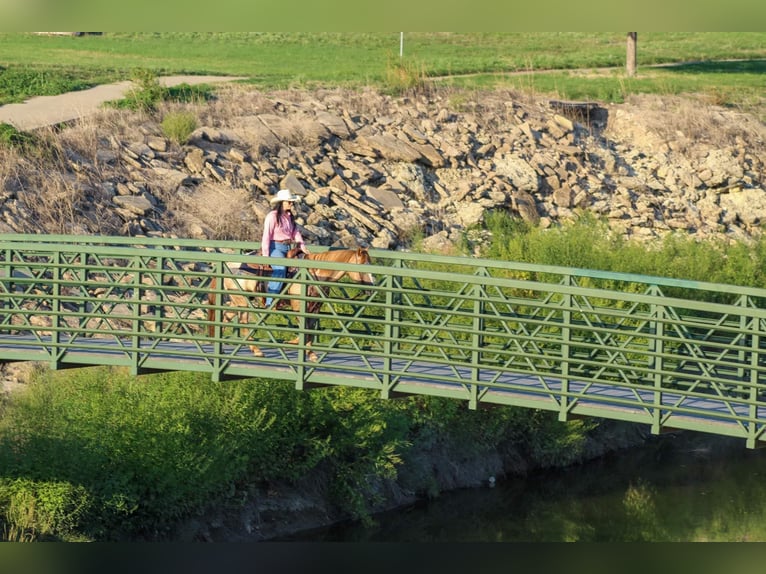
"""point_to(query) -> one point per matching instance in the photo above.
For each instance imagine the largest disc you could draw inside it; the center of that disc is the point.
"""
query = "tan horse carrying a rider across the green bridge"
(256, 282)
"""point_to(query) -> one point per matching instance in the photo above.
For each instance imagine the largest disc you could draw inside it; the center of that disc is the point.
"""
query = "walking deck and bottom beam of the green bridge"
(396, 377)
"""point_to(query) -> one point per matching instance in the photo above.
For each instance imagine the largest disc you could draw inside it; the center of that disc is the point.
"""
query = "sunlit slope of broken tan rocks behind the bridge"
(378, 170)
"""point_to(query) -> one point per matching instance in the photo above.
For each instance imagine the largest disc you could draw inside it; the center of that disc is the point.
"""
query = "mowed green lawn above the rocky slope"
(590, 65)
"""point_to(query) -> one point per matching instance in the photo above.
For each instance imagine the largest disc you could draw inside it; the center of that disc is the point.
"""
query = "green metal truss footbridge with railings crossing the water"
(671, 354)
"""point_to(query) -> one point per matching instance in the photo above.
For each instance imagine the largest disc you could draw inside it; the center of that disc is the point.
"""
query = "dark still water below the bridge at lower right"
(679, 488)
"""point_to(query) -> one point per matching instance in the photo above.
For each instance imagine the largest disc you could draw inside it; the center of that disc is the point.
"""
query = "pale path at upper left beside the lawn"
(44, 111)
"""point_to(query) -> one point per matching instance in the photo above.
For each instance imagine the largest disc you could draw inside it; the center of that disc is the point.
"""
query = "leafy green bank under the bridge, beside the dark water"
(99, 455)
